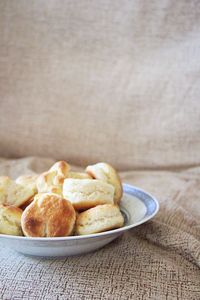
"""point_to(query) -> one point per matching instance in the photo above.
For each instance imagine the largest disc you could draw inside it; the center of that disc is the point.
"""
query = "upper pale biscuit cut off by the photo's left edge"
(12, 193)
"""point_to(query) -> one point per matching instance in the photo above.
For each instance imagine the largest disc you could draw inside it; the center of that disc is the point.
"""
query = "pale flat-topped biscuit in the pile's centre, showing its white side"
(87, 193)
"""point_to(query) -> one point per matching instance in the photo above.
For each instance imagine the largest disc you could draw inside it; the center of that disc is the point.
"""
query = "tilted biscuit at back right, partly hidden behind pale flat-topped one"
(107, 173)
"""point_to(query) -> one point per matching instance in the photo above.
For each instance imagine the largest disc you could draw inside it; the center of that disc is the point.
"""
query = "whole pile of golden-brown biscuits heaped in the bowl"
(60, 202)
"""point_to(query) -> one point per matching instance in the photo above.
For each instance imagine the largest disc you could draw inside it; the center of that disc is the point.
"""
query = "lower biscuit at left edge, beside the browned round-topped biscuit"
(10, 220)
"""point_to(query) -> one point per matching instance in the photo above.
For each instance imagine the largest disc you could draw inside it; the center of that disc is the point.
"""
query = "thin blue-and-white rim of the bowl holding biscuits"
(95, 235)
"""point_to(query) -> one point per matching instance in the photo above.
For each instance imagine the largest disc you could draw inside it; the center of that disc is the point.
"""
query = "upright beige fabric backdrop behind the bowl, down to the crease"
(91, 81)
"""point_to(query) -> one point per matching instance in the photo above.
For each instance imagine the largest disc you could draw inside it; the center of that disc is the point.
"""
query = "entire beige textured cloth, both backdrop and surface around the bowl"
(114, 81)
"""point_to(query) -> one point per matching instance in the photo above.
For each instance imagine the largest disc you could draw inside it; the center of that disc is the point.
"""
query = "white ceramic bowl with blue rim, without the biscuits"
(137, 207)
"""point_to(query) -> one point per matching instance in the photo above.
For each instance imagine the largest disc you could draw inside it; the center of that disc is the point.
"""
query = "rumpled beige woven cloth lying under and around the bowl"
(157, 260)
